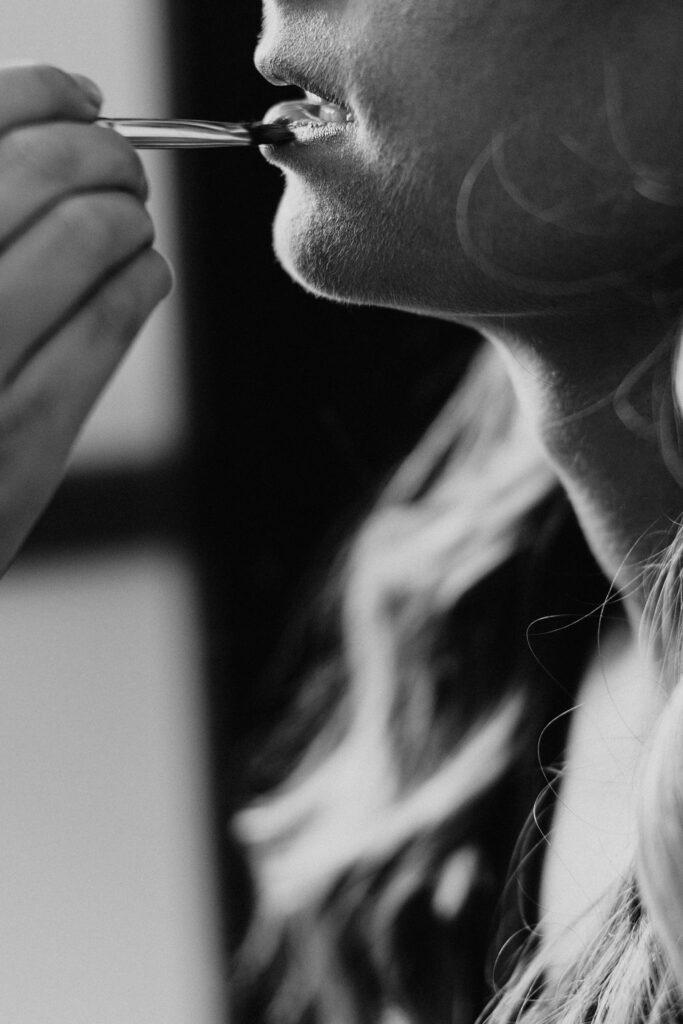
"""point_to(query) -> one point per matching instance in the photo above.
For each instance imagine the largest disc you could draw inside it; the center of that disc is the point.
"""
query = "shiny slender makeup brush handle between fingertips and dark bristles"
(157, 135)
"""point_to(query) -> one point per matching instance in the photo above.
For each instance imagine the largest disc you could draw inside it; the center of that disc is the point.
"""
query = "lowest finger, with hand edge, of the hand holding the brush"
(42, 410)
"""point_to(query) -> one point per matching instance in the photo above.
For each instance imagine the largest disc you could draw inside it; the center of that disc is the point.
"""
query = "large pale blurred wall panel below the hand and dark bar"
(106, 890)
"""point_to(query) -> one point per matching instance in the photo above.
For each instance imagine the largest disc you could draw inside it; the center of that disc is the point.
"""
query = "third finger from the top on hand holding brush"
(52, 270)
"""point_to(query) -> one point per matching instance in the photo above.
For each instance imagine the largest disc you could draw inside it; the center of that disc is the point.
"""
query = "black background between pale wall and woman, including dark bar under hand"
(300, 408)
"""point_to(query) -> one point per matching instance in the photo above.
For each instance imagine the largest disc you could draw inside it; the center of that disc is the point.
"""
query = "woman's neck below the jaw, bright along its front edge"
(599, 393)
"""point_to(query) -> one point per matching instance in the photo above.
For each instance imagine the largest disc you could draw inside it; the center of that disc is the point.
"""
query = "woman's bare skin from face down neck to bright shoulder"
(518, 167)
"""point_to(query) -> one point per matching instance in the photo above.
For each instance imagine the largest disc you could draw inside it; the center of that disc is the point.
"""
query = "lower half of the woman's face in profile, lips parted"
(505, 156)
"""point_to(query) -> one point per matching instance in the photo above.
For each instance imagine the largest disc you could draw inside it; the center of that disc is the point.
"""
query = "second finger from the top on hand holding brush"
(41, 164)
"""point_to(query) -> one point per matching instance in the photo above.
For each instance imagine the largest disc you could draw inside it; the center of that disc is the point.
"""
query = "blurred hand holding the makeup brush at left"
(78, 278)
